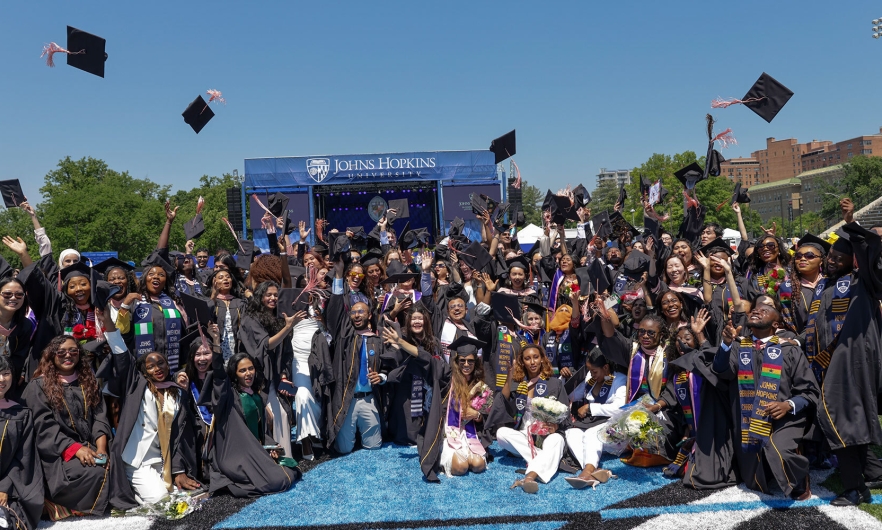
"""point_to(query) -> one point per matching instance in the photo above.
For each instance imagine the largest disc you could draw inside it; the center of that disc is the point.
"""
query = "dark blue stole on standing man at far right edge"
(838, 308)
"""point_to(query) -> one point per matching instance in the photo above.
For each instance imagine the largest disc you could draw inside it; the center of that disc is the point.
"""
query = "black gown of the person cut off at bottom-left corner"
(20, 469)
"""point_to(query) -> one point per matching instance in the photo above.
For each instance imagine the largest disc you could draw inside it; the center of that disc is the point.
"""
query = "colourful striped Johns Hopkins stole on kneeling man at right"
(756, 429)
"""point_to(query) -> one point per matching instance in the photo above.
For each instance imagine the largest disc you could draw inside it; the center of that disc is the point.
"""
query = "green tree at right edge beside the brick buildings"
(861, 181)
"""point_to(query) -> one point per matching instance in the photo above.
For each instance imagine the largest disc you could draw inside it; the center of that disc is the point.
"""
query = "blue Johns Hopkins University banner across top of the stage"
(445, 166)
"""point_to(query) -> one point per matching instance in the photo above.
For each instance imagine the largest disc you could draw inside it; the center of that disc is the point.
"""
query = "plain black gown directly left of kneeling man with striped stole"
(712, 458)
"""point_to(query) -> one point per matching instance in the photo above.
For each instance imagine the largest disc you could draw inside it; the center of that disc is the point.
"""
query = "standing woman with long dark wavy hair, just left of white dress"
(266, 338)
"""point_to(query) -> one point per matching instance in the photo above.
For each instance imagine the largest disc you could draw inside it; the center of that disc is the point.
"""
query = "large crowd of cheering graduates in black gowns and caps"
(122, 384)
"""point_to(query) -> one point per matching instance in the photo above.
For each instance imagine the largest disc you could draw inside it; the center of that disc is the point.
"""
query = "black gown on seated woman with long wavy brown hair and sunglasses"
(71, 484)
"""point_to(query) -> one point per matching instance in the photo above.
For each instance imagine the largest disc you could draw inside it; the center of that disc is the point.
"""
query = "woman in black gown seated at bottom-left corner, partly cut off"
(21, 476)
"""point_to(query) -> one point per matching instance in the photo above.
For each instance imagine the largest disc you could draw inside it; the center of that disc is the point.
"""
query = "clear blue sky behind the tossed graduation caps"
(586, 84)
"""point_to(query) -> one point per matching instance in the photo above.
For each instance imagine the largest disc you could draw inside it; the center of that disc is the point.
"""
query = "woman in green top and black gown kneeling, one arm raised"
(239, 461)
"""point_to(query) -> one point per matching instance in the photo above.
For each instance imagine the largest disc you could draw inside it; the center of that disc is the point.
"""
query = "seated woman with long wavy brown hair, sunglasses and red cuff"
(72, 432)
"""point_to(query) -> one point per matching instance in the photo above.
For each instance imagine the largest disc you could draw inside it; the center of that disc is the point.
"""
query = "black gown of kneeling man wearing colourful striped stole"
(788, 469)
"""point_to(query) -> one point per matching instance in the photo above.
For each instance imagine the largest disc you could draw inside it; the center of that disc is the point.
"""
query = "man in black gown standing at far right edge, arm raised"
(844, 345)
